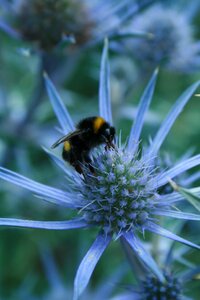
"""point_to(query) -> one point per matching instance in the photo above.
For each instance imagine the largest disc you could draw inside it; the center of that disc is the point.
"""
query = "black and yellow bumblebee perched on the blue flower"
(89, 133)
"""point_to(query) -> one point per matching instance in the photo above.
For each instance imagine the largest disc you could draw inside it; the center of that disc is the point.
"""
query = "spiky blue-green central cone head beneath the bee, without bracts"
(118, 198)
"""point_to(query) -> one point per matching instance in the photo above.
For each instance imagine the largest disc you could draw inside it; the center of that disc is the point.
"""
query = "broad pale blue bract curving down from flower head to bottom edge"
(88, 264)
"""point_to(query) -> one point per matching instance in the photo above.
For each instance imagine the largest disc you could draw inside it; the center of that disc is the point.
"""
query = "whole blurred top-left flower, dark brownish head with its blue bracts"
(50, 23)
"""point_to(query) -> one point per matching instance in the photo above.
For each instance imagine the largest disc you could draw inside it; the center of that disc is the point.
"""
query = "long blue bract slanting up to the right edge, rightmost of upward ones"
(171, 117)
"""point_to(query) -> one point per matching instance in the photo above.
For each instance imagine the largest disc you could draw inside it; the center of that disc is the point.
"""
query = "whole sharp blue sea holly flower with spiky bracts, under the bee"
(122, 198)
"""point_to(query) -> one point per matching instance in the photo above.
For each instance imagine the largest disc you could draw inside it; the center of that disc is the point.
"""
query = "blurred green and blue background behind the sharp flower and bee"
(70, 53)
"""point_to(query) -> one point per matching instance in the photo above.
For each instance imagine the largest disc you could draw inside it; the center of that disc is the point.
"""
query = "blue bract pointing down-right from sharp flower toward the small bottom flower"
(142, 254)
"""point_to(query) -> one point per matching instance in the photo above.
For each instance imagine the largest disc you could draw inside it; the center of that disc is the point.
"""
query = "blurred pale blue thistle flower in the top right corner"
(172, 44)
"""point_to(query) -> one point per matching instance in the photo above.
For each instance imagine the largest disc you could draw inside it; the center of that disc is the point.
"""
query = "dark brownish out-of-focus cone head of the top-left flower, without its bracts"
(47, 22)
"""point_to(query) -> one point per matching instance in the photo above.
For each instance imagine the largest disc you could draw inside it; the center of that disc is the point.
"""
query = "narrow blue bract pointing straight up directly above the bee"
(104, 86)
